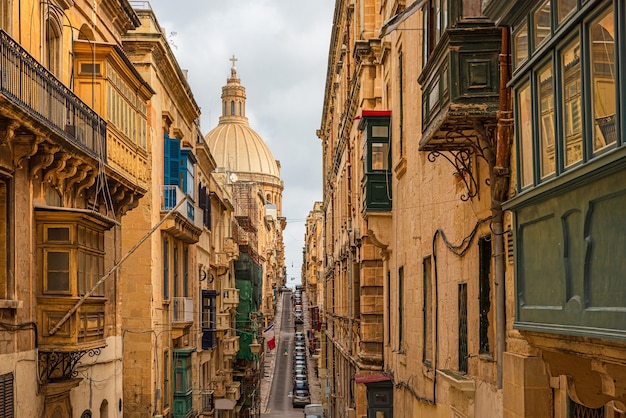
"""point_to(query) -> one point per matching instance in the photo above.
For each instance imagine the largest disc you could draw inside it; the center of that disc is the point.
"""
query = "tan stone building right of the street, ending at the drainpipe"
(414, 261)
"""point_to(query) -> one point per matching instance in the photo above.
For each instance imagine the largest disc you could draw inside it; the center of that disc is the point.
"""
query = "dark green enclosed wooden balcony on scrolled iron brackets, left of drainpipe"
(460, 86)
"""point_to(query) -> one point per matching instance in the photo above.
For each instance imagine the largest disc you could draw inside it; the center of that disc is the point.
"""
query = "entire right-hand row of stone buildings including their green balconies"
(476, 146)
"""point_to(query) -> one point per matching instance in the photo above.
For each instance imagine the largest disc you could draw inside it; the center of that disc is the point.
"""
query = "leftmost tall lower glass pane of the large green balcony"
(525, 135)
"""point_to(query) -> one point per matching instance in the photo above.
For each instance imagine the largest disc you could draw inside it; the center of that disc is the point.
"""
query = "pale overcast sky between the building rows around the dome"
(282, 52)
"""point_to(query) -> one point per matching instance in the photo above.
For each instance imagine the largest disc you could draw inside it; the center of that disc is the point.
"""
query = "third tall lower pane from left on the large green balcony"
(572, 118)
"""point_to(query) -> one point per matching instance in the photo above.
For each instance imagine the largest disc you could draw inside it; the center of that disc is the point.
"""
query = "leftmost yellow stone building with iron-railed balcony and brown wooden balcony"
(70, 169)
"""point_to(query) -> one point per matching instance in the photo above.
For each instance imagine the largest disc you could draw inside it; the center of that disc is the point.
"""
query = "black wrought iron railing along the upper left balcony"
(29, 85)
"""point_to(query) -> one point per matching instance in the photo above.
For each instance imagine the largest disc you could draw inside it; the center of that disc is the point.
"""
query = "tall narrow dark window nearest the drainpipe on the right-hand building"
(484, 293)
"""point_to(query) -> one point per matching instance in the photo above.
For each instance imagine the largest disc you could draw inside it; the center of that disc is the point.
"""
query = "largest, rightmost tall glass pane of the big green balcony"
(603, 80)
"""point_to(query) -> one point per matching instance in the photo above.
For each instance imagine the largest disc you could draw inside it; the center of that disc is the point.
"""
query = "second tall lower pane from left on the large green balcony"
(546, 118)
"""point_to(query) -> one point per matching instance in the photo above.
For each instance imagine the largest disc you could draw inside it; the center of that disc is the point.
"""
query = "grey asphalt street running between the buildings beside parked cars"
(279, 402)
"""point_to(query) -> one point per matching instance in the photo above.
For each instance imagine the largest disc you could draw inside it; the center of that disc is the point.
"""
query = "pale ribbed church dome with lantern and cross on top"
(233, 143)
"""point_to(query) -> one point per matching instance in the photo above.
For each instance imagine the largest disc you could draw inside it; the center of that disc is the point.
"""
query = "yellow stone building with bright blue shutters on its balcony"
(179, 305)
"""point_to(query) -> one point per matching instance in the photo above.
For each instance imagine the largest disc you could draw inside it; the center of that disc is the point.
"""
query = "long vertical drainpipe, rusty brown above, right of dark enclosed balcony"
(501, 176)
